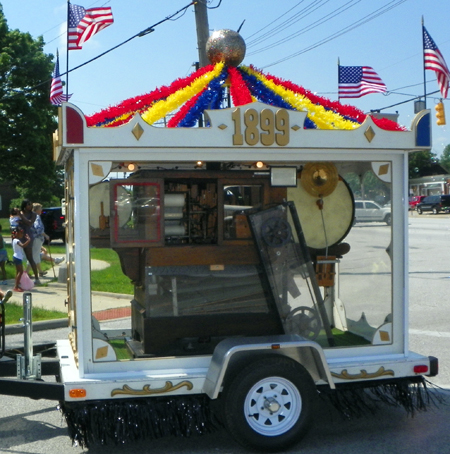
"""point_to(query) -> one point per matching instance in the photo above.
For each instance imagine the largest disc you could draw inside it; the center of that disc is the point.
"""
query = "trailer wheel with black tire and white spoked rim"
(268, 405)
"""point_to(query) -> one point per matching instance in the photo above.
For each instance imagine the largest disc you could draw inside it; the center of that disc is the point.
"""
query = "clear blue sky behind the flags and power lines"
(282, 38)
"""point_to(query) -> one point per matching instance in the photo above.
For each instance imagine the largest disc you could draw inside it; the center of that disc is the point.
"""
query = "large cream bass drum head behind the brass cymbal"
(328, 226)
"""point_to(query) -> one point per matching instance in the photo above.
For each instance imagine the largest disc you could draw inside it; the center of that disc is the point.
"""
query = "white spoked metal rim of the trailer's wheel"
(272, 406)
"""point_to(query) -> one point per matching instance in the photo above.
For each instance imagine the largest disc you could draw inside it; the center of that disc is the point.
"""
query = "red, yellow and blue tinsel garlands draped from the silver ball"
(205, 89)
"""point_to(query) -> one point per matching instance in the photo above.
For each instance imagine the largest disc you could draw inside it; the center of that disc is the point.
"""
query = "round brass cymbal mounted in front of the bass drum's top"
(319, 179)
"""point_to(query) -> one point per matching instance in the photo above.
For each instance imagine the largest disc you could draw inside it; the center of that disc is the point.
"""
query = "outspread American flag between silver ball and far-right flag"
(357, 81)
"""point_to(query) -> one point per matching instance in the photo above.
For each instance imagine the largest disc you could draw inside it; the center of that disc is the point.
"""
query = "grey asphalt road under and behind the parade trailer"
(28, 426)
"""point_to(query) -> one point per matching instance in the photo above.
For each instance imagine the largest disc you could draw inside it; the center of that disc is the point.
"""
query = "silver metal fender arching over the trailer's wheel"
(231, 354)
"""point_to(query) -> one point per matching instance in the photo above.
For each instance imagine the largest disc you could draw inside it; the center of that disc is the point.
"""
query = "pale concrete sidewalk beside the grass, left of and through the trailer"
(53, 295)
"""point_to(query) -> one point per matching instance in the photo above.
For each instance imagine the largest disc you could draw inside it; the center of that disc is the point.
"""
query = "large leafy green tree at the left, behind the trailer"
(27, 119)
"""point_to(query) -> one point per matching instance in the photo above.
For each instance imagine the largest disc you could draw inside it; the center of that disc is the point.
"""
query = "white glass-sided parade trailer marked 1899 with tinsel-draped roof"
(253, 289)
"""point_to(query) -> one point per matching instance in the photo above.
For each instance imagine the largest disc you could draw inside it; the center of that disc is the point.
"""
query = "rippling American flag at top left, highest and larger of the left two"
(84, 23)
